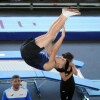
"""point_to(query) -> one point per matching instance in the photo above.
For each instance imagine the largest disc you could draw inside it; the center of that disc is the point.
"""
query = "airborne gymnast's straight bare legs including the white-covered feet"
(44, 40)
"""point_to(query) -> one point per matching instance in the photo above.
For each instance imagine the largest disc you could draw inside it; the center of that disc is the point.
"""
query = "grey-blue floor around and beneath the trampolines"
(86, 51)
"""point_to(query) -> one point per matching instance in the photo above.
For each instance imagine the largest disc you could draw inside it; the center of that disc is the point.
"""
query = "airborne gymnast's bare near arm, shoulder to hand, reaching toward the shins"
(51, 63)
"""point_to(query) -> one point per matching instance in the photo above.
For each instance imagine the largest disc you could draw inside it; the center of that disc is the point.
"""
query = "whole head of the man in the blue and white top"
(15, 82)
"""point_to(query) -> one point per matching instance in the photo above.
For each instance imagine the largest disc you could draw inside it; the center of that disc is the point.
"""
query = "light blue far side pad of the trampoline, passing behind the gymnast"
(15, 55)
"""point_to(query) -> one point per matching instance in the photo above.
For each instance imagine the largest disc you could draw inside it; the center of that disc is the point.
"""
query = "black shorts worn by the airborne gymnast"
(30, 52)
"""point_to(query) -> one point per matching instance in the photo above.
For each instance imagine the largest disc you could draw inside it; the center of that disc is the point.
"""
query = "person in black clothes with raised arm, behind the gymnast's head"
(67, 85)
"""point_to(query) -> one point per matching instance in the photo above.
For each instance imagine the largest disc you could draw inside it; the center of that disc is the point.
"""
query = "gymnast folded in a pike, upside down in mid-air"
(32, 47)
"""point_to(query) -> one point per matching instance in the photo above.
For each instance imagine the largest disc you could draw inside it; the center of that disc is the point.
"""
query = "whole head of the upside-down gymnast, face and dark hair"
(61, 64)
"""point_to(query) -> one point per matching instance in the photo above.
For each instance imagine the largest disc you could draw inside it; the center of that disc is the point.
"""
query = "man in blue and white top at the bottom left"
(16, 92)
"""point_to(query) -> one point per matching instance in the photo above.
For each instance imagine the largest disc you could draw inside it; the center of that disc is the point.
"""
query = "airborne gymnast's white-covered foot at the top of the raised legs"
(70, 12)
